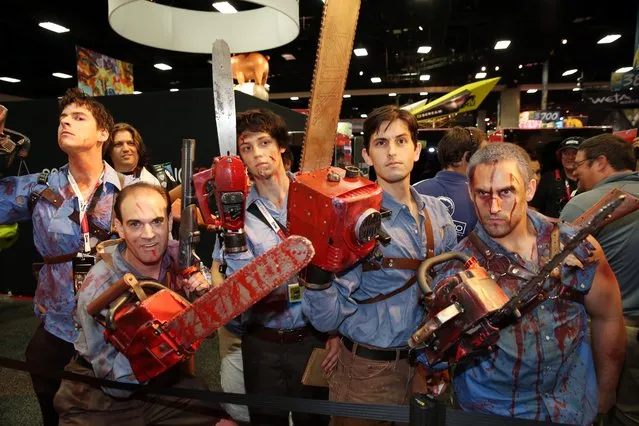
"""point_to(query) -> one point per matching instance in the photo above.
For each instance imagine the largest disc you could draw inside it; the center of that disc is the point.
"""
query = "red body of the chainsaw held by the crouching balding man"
(139, 334)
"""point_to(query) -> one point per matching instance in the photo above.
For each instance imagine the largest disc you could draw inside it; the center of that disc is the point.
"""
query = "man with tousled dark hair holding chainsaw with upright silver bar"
(277, 340)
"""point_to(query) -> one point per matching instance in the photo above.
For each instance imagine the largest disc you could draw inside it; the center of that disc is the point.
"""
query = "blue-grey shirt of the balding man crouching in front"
(107, 362)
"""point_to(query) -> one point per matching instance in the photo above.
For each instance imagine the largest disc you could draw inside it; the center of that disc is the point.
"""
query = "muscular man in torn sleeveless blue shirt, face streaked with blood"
(543, 366)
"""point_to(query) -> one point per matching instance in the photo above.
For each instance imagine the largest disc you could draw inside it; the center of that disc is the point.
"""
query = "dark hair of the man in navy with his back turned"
(456, 142)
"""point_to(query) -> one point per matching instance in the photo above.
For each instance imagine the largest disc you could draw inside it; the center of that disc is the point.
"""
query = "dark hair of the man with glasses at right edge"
(617, 151)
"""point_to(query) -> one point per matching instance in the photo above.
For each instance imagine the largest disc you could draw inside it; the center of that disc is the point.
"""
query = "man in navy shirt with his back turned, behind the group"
(450, 185)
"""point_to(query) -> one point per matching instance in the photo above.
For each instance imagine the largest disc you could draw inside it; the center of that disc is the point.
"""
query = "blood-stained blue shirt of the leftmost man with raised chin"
(55, 234)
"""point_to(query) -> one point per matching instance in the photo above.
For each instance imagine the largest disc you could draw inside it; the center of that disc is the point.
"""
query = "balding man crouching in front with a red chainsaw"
(144, 223)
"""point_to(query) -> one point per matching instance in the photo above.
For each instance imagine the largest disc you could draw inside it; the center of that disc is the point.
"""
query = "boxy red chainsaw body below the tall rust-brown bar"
(337, 214)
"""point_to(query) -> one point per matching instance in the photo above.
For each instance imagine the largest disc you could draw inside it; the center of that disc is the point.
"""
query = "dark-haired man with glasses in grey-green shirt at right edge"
(605, 162)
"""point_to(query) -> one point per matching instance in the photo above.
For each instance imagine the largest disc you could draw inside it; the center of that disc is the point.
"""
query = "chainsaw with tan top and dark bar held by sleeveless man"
(467, 310)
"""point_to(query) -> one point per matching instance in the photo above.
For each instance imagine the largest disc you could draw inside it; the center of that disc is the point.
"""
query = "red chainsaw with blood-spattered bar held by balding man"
(156, 328)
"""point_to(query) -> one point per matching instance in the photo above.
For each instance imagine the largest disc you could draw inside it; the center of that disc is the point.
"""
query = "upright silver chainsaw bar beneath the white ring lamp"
(224, 97)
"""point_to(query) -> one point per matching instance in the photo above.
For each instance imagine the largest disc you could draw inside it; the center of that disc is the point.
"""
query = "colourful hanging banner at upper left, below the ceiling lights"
(101, 75)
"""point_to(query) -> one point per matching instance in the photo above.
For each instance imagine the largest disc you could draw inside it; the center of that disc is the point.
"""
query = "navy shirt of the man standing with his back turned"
(451, 188)
